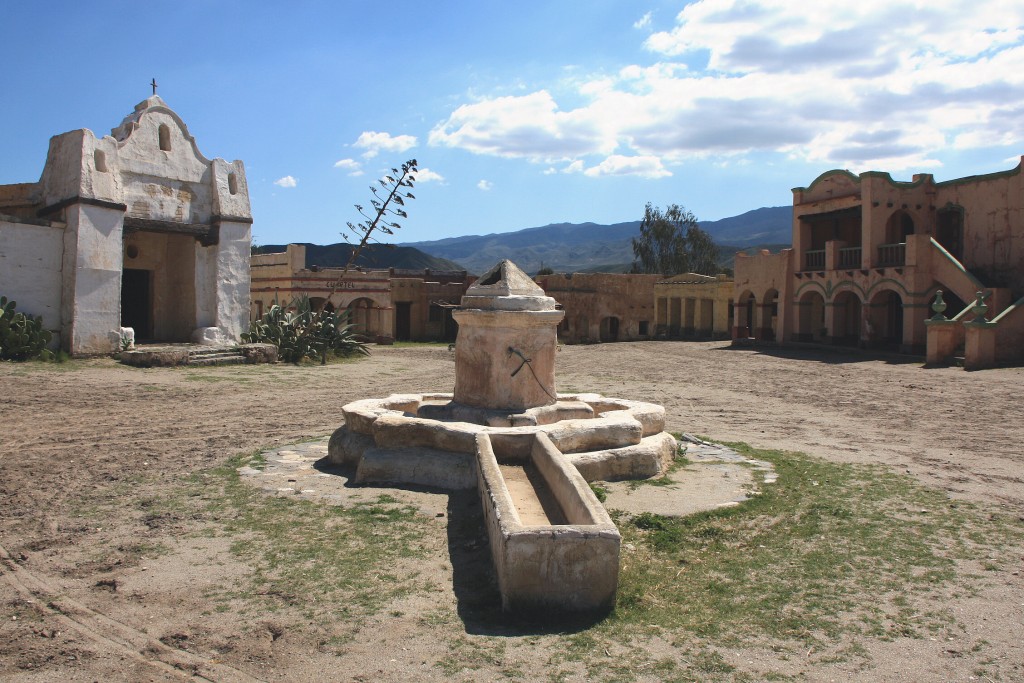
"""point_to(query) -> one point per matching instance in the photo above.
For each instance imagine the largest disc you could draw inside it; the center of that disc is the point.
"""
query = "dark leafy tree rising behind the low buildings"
(671, 242)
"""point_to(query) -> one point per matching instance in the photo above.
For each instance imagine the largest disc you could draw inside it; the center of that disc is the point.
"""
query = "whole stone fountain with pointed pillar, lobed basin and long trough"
(528, 450)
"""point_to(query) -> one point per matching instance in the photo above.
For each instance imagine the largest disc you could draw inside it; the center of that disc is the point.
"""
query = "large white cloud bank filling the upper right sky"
(886, 86)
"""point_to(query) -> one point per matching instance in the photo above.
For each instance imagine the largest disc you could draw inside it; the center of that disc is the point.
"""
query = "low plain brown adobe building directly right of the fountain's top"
(604, 307)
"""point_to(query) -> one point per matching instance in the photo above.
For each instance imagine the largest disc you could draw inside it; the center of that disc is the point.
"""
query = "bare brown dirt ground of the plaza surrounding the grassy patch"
(75, 608)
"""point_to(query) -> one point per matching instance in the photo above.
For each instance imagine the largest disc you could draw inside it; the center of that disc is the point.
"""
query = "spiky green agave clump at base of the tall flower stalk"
(300, 332)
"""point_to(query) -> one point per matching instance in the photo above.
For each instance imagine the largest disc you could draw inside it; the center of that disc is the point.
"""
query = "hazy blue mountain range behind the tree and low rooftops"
(592, 247)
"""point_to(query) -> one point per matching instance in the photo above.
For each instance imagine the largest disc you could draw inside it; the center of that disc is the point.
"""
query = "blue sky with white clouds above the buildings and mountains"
(524, 114)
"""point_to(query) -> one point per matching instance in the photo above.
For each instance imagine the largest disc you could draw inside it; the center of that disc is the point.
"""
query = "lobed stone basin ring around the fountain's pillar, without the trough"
(389, 442)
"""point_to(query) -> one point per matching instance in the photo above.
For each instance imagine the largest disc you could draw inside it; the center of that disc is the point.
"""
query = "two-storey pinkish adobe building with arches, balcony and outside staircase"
(870, 253)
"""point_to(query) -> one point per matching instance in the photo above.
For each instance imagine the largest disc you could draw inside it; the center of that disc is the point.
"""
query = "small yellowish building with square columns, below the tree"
(694, 306)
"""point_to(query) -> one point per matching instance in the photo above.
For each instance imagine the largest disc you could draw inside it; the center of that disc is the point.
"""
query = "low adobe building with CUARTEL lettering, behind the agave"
(408, 306)
